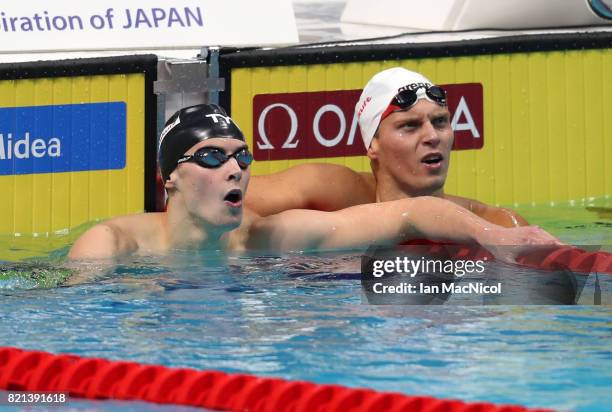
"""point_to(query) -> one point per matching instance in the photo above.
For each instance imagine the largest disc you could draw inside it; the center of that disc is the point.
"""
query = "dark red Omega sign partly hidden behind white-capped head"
(323, 124)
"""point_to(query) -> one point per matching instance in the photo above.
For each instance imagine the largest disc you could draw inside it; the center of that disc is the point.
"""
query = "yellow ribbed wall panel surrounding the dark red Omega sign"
(547, 138)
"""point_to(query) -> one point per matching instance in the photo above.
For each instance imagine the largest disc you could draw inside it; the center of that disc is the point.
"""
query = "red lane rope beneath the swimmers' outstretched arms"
(561, 258)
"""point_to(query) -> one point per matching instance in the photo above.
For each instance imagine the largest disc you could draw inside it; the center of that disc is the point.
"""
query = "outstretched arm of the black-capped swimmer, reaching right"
(389, 223)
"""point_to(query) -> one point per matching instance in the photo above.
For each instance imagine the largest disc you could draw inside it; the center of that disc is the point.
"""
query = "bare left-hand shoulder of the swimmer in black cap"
(118, 236)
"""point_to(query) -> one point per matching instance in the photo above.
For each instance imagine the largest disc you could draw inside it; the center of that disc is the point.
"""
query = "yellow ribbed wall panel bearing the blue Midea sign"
(50, 202)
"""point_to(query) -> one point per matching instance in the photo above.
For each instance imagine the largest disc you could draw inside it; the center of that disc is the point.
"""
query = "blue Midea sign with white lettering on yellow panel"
(62, 138)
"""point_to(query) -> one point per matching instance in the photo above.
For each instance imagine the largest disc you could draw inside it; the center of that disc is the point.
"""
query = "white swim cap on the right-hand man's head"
(378, 94)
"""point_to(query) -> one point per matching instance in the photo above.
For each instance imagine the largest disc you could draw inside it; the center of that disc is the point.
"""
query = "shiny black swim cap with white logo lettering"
(190, 126)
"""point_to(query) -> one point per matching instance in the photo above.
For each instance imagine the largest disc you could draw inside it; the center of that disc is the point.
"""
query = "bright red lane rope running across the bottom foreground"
(92, 378)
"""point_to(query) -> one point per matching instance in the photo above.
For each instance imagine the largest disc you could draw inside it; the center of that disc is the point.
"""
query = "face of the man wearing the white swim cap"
(412, 148)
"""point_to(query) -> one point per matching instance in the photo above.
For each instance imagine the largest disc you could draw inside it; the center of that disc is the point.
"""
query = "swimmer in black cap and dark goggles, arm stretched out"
(205, 163)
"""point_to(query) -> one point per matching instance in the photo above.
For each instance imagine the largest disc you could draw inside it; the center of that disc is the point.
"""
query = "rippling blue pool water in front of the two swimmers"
(302, 317)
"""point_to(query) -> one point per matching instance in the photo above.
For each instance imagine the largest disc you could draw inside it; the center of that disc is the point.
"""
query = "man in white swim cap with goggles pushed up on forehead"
(405, 125)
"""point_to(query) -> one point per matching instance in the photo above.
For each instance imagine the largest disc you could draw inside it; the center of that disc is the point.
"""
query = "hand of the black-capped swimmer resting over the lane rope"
(507, 244)
